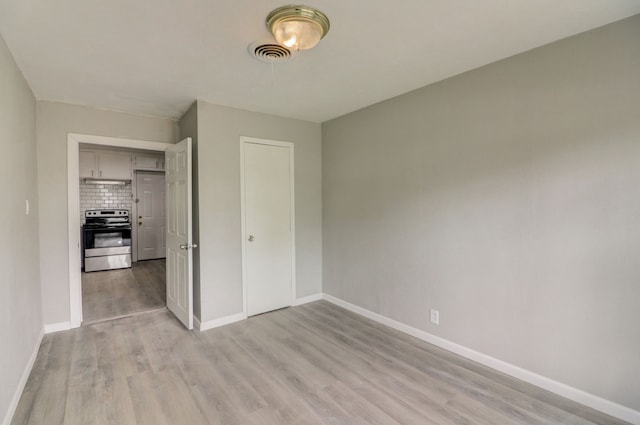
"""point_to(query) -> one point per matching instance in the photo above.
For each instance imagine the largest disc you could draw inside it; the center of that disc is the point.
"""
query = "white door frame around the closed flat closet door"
(243, 141)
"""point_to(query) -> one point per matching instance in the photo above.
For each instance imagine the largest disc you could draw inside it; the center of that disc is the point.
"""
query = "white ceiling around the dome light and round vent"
(154, 57)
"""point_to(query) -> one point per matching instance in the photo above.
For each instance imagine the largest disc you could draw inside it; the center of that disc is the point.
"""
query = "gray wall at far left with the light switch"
(21, 322)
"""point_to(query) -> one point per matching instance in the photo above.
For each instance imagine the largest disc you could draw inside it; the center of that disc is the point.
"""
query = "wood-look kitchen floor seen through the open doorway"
(116, 293)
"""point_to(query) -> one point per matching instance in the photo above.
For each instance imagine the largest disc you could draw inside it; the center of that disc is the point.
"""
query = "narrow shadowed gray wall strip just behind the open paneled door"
(188, 127)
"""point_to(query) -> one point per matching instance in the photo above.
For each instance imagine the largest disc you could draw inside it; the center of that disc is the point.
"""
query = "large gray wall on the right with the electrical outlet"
(507, 198)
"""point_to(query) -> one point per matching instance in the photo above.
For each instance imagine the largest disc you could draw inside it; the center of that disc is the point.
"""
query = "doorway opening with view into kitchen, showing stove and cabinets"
(122, 208)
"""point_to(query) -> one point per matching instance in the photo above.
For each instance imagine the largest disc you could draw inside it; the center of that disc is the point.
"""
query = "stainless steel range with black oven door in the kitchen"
(106, 240)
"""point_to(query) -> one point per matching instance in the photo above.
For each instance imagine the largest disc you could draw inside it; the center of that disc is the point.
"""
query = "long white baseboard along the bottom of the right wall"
(582, 397)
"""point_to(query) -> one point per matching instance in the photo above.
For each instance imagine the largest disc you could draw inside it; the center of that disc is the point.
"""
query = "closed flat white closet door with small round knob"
(268, 226)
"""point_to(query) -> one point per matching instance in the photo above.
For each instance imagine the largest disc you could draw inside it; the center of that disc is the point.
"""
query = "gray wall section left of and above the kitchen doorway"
(55, 120)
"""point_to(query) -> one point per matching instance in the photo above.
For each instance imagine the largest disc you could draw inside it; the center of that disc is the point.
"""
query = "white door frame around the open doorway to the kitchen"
(73, 199)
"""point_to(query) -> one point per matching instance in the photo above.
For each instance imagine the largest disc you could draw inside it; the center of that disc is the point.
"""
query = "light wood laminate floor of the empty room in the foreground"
(311, 364)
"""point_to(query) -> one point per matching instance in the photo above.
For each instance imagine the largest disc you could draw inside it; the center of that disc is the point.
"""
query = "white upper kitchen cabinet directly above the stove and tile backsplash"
(105, 165)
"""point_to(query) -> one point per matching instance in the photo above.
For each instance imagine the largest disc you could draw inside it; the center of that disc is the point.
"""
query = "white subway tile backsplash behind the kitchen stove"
(101, 196)
